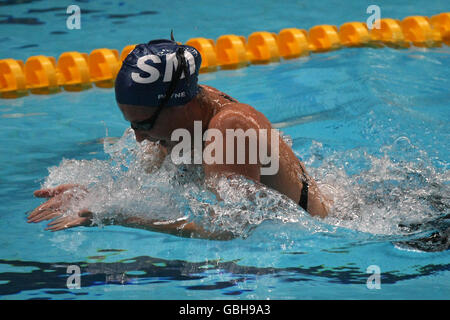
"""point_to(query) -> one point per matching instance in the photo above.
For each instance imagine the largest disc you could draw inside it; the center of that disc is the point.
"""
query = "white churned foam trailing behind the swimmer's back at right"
(389, 195)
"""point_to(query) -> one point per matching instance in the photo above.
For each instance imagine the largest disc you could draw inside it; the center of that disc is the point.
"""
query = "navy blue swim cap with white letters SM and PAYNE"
(147, 72)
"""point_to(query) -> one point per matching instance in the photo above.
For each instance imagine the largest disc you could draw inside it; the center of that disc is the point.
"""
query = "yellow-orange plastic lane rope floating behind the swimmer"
(75, 71)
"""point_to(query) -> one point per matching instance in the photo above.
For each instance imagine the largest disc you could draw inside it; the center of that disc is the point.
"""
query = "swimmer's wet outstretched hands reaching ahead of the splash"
(56, 206)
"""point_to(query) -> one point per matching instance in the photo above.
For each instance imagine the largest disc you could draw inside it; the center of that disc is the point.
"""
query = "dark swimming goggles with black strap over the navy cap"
(148, 124)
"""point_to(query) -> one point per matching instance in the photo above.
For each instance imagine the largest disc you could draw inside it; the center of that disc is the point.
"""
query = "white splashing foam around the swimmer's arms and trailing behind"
(384, 195)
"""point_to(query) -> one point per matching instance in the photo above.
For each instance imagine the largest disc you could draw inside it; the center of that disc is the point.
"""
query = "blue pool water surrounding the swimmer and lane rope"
(371, 125)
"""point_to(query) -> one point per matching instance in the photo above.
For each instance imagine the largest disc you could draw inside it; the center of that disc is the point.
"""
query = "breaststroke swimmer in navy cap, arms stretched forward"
(157, 92)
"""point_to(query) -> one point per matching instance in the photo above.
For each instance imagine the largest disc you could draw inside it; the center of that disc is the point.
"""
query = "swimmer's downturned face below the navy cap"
(169, 119)
